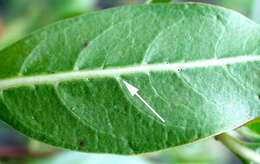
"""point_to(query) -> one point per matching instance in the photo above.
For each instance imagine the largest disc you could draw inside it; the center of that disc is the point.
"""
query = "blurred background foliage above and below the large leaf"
(18, 18)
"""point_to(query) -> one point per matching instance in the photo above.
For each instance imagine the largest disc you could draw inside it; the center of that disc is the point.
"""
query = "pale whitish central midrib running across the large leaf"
(113, 72)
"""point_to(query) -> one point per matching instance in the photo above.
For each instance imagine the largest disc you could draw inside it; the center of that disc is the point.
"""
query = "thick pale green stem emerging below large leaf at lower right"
(237, 147)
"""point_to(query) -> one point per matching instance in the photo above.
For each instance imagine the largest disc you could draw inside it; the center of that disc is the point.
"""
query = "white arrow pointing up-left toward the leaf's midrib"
(133, 91)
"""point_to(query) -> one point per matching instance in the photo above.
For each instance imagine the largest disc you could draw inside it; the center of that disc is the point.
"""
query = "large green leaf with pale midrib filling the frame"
(196, 65)
